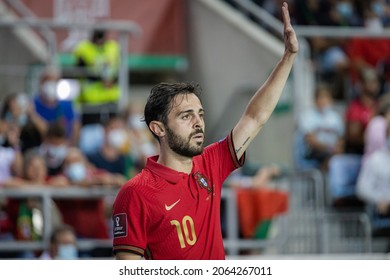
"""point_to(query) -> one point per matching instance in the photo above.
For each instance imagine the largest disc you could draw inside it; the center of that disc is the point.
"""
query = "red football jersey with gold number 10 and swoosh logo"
(165, 214)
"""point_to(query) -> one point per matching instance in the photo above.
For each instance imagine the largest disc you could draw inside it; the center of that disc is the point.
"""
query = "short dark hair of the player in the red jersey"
(161, 100)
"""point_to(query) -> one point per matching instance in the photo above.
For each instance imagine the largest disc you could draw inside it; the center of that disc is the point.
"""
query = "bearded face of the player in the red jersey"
(185, 129)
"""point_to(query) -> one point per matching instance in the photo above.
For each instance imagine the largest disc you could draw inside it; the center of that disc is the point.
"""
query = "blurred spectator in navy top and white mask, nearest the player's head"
(113, 155)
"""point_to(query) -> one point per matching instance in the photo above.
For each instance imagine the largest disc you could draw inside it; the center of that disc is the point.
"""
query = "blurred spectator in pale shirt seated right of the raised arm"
(322, 128)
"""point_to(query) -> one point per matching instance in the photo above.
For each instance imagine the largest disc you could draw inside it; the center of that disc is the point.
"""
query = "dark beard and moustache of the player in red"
(182, 146)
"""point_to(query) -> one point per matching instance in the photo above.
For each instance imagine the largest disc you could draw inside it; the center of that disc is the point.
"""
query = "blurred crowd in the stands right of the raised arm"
(346, 133)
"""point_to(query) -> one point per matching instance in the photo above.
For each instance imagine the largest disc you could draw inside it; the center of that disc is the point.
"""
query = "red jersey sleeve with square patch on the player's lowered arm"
(130, 220)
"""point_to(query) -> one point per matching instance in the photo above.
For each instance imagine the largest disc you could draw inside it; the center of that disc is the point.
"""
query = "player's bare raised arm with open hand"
(262, 104)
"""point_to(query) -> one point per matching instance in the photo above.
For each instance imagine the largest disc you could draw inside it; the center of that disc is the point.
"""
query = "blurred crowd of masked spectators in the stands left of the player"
(40, 140)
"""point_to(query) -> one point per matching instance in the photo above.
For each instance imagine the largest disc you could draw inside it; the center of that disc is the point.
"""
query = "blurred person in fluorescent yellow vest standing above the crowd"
(98, 61)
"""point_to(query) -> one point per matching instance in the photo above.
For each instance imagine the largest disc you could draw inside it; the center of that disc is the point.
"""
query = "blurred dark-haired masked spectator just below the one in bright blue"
(54, 148)
